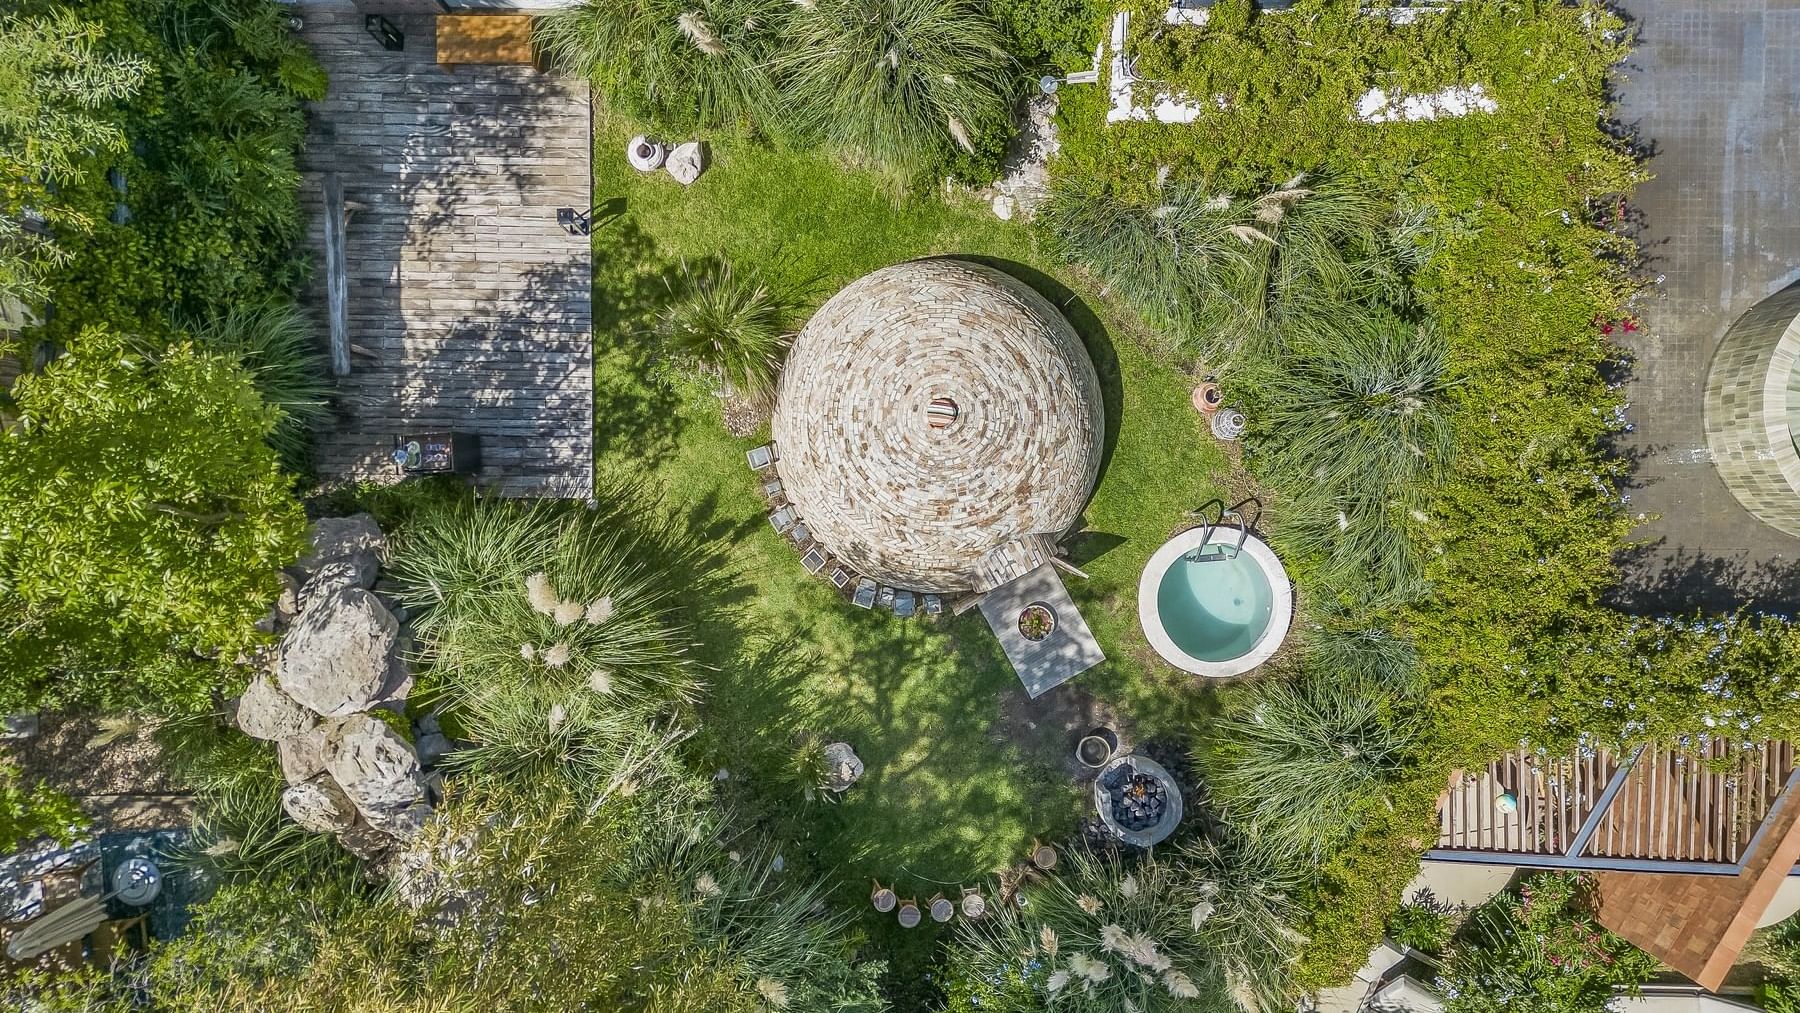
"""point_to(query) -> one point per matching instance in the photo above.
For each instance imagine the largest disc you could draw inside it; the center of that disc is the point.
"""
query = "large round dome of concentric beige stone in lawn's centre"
(939, 427)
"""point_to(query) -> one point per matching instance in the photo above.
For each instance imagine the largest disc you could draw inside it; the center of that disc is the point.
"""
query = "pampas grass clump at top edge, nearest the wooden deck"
(679, 64)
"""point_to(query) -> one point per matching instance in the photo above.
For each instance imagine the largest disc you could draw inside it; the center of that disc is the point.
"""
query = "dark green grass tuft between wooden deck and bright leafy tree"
(274, 343)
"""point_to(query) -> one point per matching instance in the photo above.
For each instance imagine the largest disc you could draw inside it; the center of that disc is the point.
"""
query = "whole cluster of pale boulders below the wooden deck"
(341, 661)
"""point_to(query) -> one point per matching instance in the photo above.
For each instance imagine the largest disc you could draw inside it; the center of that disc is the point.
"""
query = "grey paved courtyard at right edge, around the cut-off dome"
(1714, 89)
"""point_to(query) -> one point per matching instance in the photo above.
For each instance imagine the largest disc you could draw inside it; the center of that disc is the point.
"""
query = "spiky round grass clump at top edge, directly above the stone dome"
(894, 84)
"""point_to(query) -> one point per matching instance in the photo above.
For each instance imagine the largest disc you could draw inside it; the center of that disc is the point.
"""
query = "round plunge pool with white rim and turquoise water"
(1214, 609)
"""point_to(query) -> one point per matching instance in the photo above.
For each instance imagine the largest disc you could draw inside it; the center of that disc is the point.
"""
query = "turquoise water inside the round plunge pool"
(1216, 609)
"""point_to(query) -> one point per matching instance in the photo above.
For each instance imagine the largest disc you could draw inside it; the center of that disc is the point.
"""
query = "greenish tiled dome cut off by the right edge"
(1747, 411)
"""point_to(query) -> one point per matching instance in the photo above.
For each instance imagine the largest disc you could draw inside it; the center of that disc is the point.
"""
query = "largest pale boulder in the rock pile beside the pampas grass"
(341, 659)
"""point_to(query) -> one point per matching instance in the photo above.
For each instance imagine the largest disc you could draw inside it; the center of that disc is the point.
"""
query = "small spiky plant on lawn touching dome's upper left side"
(733, 328)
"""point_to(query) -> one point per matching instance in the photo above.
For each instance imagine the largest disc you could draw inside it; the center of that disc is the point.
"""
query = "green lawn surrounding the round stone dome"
(953, 791)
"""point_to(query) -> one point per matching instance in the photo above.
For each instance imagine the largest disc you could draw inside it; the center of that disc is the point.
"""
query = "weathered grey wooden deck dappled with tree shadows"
(471, 309)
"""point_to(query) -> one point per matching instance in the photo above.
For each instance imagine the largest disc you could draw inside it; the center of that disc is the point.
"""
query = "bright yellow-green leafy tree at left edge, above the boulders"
(143, 521)
